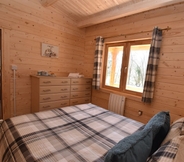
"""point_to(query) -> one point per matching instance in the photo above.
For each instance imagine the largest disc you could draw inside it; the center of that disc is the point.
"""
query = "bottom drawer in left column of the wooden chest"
(52, 105)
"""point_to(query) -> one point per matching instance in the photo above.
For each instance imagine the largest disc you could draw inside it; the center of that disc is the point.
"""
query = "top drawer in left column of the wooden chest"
(52, 81)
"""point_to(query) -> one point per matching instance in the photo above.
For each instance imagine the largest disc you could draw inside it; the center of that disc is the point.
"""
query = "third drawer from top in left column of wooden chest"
(54, 97)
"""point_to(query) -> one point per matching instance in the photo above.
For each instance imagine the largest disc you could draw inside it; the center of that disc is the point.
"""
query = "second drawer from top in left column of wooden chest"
(54, 89)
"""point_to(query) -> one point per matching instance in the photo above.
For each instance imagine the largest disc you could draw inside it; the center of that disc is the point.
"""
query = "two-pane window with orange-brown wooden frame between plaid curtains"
(125, 66)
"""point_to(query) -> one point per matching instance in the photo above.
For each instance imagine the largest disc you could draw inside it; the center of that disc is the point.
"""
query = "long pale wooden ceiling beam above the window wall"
(121, 11)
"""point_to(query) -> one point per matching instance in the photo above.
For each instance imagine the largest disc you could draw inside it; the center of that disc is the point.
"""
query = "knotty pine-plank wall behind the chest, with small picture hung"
(25, 24)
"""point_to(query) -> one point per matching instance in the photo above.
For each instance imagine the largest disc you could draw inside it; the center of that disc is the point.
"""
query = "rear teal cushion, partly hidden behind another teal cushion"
(160, 125)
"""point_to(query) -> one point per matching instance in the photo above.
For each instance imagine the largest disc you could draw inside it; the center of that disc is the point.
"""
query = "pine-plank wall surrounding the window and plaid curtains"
(169, 91)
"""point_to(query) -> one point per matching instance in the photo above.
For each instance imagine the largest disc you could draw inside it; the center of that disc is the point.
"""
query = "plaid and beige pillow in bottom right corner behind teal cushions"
(172, 147)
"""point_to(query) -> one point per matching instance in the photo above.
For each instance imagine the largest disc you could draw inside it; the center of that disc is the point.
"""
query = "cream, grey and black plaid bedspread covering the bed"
(81, 133)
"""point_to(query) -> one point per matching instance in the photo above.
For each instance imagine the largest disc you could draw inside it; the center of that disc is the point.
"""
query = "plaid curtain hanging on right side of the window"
(149, 83)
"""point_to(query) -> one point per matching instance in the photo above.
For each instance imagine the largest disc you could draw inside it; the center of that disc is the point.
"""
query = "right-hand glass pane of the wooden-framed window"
(137, 67)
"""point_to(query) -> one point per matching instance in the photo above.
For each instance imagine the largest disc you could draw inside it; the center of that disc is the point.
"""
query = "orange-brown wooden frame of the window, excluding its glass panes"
(124, 68)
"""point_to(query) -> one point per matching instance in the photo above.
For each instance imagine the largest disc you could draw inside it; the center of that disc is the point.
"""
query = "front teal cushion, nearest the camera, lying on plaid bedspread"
(134, 148)
